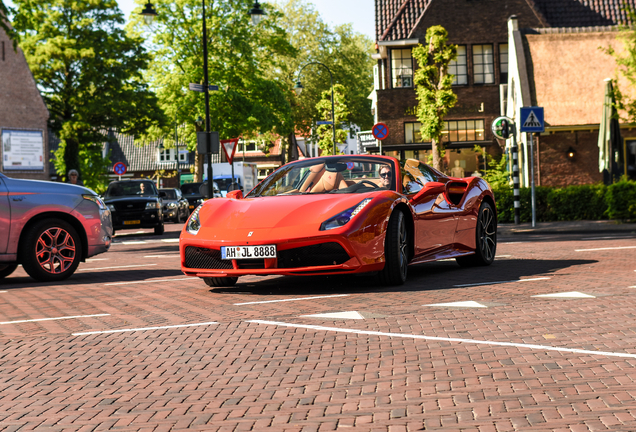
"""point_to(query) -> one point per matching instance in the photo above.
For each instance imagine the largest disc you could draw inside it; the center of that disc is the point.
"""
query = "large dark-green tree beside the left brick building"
(90, 75)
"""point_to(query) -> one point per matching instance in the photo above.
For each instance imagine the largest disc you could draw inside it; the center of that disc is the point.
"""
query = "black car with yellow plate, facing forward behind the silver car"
(135, 204)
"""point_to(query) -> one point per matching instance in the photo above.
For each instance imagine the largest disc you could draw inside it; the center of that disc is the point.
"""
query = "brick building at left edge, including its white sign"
(23, 117)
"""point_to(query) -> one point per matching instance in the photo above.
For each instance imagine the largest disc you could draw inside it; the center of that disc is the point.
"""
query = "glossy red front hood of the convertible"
(221, 216)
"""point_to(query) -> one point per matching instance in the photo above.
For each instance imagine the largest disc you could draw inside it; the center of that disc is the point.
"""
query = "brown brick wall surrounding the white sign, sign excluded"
(21, 105)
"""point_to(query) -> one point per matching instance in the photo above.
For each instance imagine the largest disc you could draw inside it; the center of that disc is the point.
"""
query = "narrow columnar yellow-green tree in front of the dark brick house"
(433, 85)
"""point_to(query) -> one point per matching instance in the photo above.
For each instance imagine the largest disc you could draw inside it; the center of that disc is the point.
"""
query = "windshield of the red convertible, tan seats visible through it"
(345, 174)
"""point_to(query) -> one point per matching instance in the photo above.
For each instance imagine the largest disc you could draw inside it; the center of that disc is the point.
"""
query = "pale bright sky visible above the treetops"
(360, 13)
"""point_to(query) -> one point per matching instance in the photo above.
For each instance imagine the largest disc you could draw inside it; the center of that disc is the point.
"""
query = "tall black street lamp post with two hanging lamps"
(256, 14)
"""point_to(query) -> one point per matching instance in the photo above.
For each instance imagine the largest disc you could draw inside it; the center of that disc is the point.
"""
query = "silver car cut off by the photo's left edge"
(50, 228)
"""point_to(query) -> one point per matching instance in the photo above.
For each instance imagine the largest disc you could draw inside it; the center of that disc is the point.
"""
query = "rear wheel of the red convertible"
(485, 239)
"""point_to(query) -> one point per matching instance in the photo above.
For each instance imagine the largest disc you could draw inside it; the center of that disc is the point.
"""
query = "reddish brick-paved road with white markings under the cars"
(166, 352)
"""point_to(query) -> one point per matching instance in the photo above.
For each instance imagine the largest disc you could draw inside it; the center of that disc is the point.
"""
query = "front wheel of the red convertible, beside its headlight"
(395, 251)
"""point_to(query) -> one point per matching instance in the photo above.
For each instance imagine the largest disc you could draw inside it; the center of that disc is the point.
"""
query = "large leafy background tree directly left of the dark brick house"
(346, 53)
